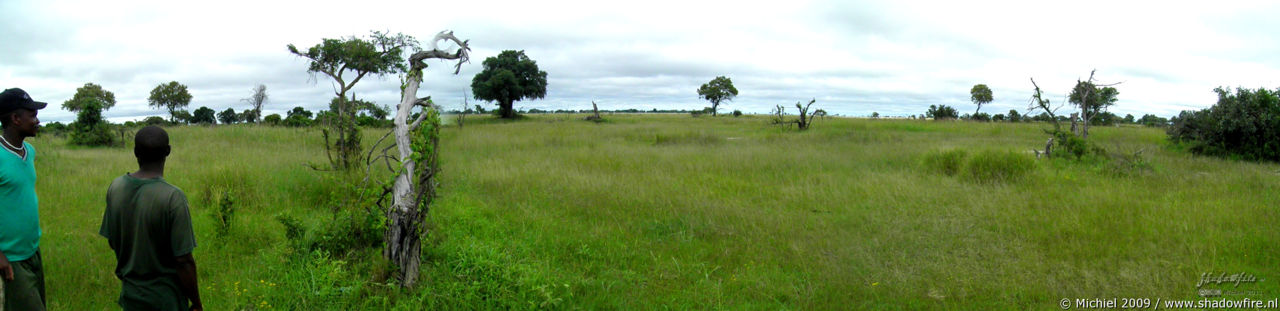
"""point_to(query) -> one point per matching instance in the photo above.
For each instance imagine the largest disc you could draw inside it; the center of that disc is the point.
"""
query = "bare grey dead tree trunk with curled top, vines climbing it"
(415, 182)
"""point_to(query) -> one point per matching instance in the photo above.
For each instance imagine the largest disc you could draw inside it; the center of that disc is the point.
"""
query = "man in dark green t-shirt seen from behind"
(149, 227)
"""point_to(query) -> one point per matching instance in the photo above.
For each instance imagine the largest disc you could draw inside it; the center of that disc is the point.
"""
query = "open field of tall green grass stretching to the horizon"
(673, 212)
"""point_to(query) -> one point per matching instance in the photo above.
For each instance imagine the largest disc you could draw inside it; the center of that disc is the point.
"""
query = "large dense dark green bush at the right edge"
(1245, 125)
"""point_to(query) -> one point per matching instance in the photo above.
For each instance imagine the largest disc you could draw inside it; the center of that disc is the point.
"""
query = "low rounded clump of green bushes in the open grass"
(985, 167)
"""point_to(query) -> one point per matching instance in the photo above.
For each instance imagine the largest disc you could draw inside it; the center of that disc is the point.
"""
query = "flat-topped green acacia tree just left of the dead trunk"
(380, 56)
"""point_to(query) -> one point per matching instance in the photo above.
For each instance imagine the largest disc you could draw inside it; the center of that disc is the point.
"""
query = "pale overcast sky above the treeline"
(854, 58)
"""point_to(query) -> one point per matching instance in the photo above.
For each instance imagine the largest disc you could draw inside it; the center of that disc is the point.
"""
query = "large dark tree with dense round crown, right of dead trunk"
(508, 79)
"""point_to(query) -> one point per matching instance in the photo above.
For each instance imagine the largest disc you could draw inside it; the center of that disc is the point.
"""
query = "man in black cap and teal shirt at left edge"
(21, 269)
